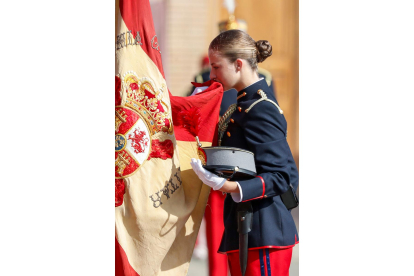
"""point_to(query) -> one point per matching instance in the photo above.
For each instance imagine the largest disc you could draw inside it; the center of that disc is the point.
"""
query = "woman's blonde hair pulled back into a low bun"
(234, 44)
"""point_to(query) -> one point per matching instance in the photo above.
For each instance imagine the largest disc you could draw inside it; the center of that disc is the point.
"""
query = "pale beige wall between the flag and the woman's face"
(190, 25)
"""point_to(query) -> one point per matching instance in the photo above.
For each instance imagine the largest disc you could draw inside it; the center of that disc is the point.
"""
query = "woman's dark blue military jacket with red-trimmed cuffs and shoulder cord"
(262, 130)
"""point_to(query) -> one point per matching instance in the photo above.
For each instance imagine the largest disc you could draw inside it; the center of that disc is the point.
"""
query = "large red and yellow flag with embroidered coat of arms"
(159, 201)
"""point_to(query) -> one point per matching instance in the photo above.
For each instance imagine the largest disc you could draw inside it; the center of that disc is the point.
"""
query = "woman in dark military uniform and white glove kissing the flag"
(257, 125)
